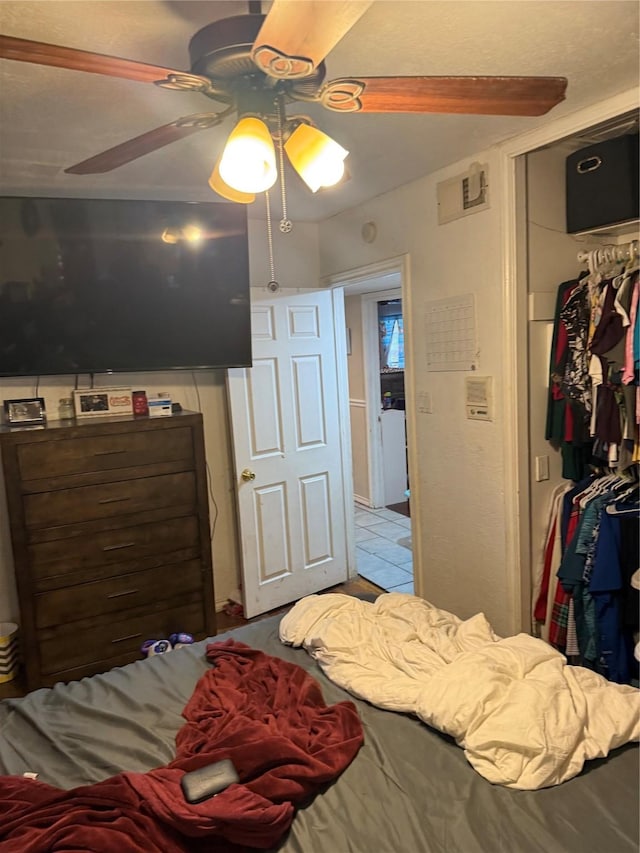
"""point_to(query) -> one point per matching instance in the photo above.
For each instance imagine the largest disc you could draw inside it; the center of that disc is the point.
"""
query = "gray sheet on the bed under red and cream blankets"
(409, 790)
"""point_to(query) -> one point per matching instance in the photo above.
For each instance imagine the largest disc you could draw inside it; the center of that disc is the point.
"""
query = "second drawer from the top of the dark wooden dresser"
(87, 503)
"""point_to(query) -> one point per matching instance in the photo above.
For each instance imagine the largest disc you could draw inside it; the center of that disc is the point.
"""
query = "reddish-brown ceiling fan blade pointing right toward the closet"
(517, 96)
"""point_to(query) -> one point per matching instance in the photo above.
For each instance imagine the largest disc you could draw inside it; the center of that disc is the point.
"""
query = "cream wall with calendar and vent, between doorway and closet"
(458, 503)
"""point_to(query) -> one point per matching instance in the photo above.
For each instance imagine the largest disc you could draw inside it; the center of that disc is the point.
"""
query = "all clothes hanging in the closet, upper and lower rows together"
(583, 600)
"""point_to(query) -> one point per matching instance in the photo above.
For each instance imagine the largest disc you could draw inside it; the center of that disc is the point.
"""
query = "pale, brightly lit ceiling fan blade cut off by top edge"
(295, 37)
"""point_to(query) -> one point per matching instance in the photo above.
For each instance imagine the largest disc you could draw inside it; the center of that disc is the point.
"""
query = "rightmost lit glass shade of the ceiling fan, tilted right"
(317, 158)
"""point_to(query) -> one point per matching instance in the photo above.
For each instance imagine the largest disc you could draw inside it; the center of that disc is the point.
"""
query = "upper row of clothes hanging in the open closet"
(593, 407)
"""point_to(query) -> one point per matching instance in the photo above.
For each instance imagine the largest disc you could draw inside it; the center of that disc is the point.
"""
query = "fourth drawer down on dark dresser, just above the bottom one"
(116, 594)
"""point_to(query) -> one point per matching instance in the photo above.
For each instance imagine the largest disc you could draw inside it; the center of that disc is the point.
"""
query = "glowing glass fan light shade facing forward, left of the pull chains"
(248, 162)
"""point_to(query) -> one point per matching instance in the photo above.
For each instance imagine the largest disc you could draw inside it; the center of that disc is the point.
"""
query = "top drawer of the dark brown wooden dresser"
(41, 460)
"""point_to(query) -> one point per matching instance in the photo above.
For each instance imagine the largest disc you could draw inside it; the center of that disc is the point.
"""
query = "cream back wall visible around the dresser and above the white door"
(296, 260)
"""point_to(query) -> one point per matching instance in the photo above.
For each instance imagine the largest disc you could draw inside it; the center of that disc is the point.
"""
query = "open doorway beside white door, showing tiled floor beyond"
(376, 390)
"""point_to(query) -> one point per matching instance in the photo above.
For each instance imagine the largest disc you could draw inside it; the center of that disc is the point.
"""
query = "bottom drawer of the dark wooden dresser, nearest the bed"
(65, 649)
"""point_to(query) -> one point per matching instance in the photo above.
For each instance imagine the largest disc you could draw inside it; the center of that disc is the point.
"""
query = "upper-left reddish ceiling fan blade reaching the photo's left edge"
(41, 53)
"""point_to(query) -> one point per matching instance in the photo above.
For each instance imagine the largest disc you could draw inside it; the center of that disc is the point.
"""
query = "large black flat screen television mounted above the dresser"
(102, 286)
